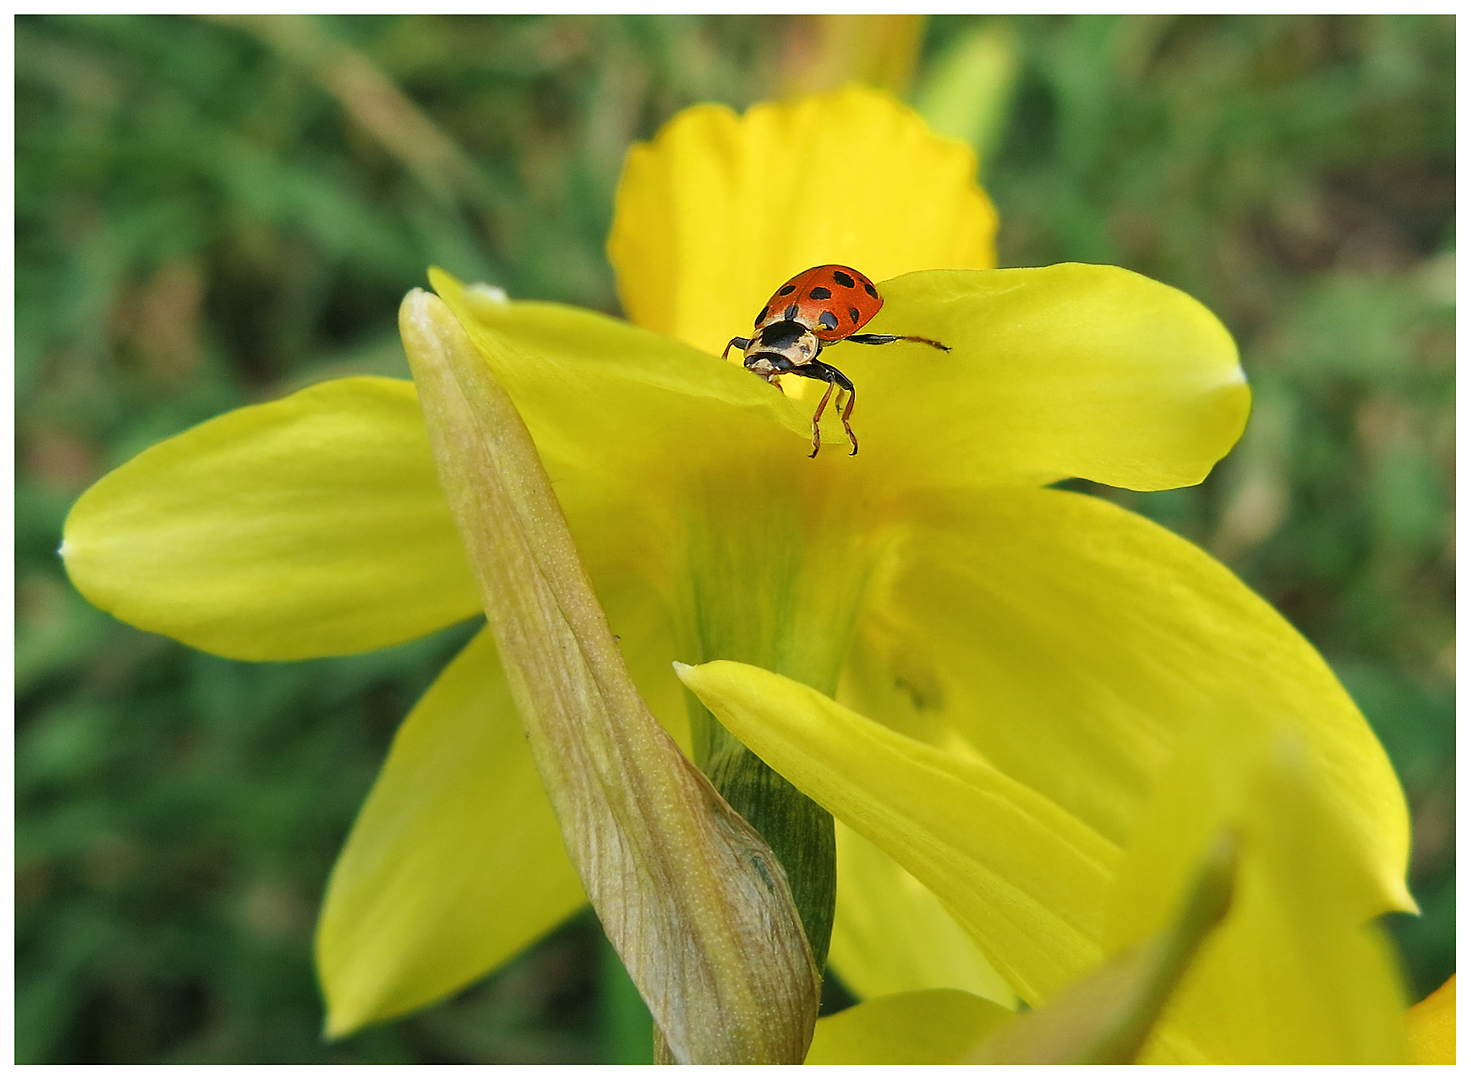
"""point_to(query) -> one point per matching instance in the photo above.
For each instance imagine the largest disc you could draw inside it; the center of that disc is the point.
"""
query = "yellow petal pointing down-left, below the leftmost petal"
(455, 863)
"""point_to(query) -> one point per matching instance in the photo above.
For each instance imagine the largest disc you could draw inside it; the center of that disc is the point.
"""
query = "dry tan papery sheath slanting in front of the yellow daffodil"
(689, 895)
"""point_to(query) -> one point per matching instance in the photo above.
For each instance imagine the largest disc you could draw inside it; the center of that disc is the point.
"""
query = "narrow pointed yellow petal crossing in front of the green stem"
(1022, 876)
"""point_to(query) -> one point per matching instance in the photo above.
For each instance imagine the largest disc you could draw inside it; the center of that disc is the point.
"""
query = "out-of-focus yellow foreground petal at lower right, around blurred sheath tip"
(1300, 973)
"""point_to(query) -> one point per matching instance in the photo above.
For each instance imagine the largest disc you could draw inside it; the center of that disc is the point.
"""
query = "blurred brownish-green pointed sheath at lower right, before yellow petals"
(1107, 1017)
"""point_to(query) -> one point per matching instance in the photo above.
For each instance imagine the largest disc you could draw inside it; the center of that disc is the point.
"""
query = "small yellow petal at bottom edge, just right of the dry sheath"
(926, 1028)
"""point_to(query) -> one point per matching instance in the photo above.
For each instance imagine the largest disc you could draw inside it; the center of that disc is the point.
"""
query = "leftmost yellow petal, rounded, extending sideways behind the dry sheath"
(307, 527)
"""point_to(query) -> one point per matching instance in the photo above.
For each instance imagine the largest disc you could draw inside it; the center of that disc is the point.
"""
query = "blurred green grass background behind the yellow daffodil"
(213, 213)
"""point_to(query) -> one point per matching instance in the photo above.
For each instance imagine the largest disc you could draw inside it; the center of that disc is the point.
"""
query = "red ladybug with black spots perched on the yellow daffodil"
(817, 308)
